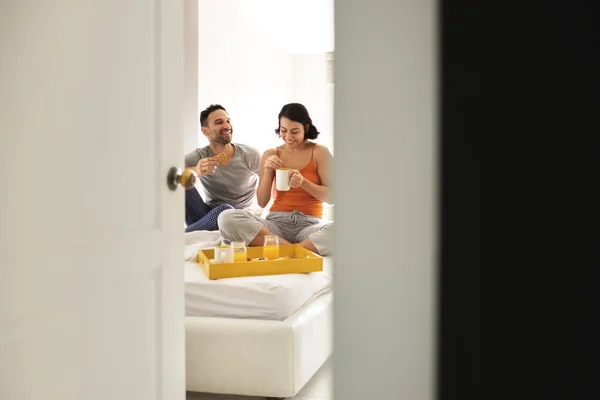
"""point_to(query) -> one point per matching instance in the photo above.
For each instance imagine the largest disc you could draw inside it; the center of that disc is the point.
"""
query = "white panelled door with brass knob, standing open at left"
(91, 239)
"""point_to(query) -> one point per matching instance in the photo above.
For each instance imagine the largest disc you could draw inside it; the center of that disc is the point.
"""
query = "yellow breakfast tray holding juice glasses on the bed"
(307, 261)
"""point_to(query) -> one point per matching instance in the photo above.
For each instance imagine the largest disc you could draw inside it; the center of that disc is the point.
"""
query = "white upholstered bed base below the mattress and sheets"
(256, 357)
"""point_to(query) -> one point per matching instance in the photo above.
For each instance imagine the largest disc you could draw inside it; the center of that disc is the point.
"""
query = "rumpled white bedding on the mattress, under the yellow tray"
(272, 297)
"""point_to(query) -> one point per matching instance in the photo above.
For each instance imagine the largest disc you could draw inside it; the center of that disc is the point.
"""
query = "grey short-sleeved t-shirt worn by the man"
(234, 184)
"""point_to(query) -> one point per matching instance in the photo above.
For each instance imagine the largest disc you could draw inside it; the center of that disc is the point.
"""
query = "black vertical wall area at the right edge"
(520, 229)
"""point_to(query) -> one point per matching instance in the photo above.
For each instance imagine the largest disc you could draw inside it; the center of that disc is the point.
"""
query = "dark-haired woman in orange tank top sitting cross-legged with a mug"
(295, 216)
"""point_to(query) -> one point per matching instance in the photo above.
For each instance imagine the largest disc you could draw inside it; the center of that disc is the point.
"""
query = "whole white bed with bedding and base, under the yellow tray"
(255, 336)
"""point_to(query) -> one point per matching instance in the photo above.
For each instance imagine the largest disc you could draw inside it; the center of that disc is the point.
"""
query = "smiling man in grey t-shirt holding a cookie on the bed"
(228, 172)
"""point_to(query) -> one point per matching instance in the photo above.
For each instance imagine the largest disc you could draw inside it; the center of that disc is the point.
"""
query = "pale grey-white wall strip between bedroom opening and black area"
(386, 138)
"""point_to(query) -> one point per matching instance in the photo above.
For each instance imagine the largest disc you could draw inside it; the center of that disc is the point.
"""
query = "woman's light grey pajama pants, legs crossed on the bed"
(293, 226)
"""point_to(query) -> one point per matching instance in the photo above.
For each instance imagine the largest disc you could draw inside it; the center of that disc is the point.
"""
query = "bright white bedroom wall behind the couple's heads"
(244, 65)
